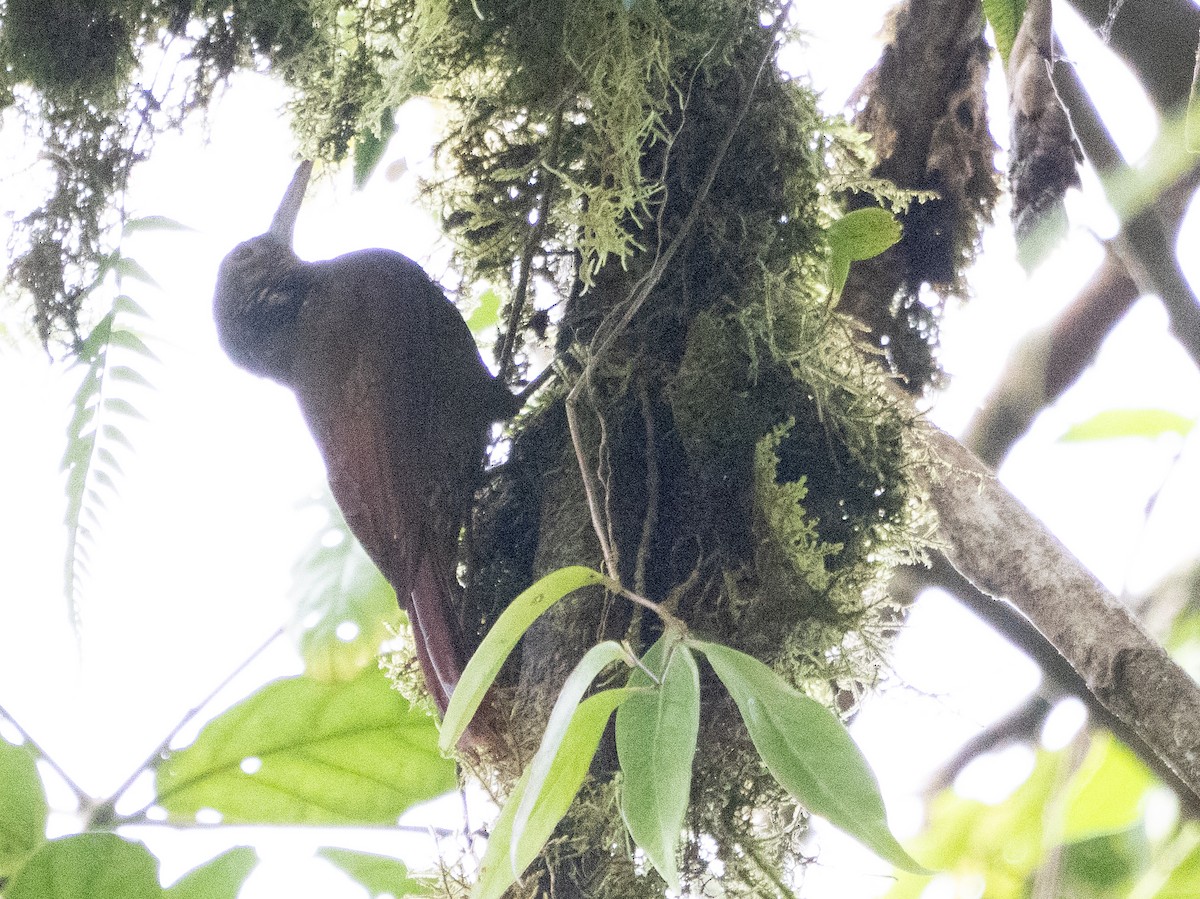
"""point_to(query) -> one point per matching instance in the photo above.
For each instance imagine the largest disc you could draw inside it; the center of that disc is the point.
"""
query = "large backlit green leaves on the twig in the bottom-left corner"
(299, 752)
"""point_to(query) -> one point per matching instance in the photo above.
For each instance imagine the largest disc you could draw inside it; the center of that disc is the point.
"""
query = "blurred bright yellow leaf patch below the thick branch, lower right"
(1107, 794)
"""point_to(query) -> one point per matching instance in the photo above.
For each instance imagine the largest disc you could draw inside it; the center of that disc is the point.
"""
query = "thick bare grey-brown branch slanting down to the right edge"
(1003, 549)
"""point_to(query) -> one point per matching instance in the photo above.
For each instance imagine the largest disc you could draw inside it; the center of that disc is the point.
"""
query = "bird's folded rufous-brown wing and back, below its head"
(368, 389)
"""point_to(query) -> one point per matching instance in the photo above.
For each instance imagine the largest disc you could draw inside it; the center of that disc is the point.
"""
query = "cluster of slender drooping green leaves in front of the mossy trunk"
(803, 745)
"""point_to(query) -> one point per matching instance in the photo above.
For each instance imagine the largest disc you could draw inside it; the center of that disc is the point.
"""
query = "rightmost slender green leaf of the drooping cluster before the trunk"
(809, 752)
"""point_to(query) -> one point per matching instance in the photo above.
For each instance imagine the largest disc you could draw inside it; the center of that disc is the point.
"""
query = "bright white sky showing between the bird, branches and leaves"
(195, 556)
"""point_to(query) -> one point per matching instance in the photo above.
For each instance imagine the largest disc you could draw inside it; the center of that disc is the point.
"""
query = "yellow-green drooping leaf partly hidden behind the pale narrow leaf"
(497, 871)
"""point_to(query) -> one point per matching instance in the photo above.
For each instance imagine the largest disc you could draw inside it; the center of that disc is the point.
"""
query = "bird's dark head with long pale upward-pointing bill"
(259, 292)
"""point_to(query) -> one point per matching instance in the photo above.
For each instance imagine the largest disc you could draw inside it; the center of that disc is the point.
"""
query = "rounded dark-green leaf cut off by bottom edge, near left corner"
(88, 866)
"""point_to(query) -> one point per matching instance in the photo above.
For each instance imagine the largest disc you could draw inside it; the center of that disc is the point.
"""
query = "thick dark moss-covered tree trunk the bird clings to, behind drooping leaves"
(717, 437)
